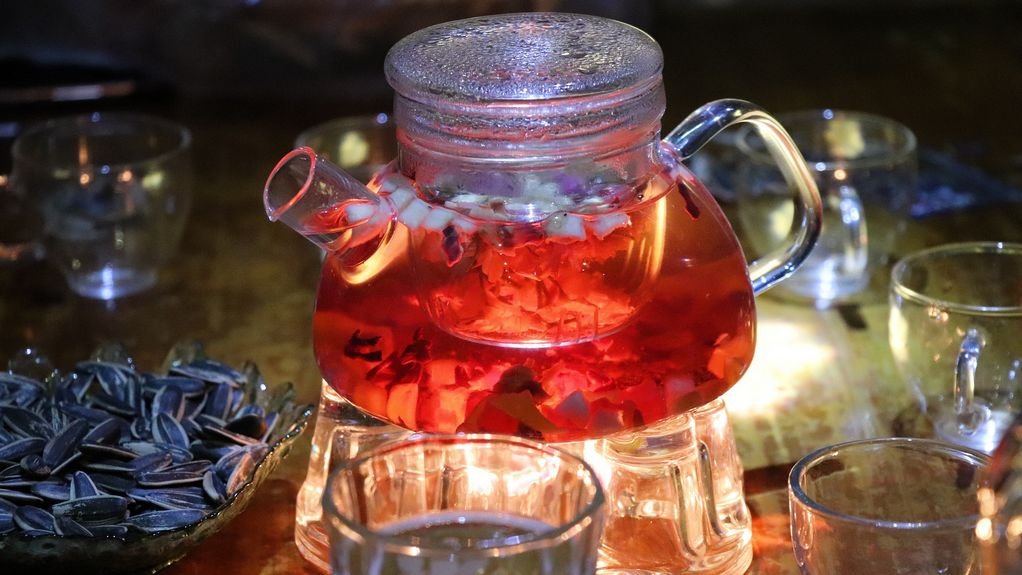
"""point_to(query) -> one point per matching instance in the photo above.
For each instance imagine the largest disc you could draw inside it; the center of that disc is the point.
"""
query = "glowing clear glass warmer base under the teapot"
(686, 501)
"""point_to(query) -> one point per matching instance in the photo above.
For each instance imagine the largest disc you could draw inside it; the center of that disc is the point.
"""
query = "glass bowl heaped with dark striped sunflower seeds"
(108, 469)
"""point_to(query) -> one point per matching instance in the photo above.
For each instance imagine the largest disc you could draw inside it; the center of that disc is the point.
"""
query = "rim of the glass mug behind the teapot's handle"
(900, 154)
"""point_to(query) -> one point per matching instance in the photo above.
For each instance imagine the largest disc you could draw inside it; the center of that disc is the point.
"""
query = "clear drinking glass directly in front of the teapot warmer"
(467, 505)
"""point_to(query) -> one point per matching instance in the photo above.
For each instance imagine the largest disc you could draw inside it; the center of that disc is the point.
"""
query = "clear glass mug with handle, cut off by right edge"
(955, 329)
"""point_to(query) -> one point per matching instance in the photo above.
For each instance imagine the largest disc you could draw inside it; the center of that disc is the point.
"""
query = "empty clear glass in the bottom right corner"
(887, 506)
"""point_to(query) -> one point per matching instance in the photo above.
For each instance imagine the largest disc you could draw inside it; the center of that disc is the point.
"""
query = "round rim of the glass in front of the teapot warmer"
(523, 544)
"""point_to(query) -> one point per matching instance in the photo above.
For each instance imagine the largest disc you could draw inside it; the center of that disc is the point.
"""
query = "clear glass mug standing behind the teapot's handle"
(865, 168)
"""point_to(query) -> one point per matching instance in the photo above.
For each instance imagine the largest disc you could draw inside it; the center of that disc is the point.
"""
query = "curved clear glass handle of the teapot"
(703, 125)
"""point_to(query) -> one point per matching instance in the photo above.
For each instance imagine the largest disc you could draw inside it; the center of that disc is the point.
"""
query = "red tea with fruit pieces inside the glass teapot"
(555, 339)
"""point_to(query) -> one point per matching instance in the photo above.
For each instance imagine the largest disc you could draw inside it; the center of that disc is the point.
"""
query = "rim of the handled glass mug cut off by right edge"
(900, 269)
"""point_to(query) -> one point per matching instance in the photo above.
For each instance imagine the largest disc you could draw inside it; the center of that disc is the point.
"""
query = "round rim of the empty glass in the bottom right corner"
(797, 494)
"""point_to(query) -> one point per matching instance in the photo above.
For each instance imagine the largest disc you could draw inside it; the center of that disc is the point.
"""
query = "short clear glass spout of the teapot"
(324, 204)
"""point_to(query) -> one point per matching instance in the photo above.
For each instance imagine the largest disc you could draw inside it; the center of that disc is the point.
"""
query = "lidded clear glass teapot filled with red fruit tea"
(537, 261)
